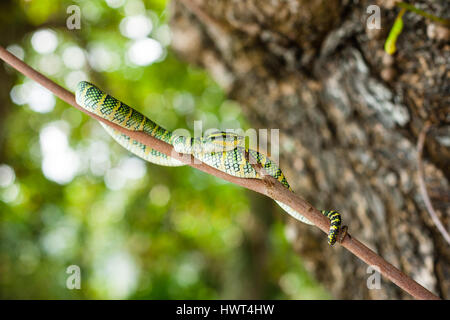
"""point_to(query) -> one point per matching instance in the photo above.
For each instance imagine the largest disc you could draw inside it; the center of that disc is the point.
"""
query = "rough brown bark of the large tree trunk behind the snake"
(349, 117)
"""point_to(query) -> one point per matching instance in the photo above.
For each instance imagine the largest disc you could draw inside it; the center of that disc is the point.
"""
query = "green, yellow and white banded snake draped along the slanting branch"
(223, 151)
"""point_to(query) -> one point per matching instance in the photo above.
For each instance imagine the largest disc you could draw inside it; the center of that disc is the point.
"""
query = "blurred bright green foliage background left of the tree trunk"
(165, 233)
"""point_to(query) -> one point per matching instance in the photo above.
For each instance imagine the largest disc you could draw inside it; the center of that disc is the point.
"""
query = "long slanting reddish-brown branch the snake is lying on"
(269, 187)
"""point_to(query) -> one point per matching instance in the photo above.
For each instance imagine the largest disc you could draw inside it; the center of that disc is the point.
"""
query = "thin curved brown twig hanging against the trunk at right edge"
(423, 187)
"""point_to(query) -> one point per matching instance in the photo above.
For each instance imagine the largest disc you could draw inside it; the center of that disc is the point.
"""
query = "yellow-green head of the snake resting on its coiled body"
(221, 141)
